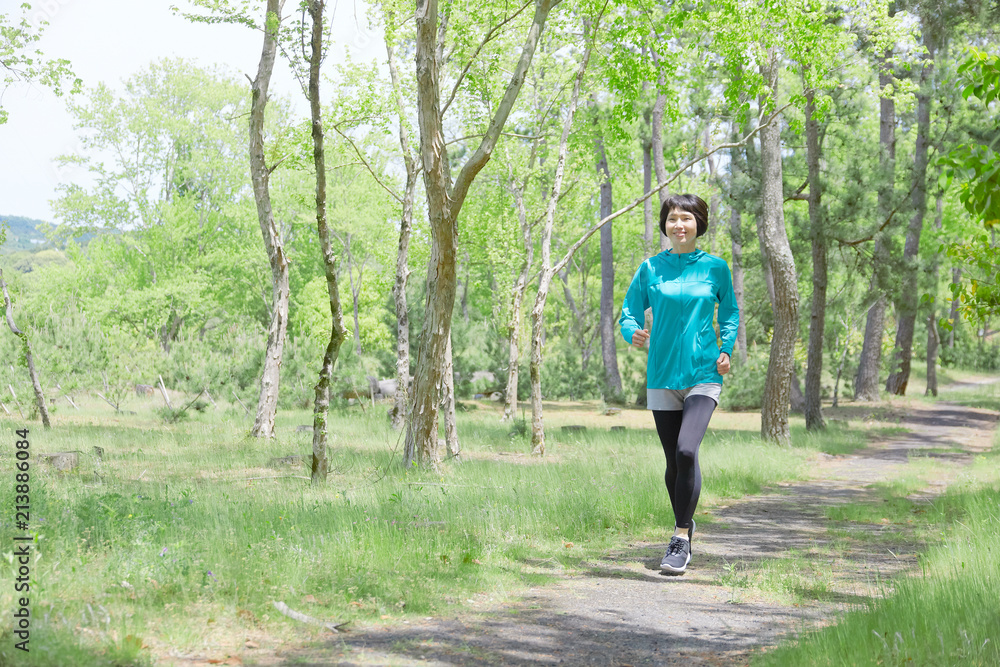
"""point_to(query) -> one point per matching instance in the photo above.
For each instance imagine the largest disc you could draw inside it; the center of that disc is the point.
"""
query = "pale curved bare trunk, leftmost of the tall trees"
(267, 404)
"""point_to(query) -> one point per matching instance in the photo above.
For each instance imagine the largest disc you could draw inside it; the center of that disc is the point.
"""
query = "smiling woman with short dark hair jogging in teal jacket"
(686, 364)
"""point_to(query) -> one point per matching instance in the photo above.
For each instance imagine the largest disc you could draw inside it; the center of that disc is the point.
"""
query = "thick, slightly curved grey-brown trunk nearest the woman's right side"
(774, 411)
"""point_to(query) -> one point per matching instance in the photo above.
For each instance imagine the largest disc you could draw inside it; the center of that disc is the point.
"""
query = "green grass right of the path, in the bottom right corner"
(950, 613)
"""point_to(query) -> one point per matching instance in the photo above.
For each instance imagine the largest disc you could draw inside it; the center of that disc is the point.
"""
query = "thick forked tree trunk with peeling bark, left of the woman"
(444, 202)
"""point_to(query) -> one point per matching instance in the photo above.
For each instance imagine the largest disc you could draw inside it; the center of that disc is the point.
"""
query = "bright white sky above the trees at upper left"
(109, 40)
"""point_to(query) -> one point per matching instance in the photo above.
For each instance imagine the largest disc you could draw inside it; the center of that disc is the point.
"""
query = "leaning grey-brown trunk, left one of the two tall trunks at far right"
(866, 384)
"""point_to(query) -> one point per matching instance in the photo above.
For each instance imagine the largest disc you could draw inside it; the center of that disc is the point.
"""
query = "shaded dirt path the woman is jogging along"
(622, 611)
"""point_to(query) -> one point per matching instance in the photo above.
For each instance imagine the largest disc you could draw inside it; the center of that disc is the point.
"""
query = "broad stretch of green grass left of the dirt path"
(172, 540)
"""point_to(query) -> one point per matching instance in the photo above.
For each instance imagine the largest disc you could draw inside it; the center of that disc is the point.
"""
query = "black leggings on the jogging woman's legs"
(680, 434)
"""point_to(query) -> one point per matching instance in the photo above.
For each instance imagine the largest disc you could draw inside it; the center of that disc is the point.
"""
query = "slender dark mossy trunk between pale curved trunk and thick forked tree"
(321, 405)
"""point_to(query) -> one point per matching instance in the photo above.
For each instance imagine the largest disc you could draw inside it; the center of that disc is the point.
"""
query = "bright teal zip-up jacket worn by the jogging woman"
(682, 290)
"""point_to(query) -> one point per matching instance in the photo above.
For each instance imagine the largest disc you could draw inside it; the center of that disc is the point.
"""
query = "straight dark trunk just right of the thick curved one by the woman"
(817, 317)
